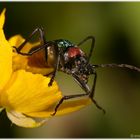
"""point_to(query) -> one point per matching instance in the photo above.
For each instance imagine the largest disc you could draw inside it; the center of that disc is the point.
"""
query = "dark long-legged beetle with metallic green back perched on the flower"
(62, 55)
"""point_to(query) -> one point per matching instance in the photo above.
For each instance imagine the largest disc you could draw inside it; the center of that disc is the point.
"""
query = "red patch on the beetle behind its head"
(74, 51)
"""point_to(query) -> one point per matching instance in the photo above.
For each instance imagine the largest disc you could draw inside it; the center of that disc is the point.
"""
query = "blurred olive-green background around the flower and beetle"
(116, 27)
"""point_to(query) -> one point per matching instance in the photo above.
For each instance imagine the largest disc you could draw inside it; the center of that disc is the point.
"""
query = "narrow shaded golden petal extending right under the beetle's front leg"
(65, 108)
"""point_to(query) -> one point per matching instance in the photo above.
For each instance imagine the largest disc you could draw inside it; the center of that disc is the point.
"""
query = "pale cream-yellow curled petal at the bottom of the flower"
(24, 121)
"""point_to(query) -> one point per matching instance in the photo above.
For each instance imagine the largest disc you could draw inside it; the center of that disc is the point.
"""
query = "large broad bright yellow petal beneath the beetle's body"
(27, 92)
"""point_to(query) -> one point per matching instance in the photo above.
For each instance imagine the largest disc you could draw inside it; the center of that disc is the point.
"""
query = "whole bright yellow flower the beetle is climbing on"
(24, 91)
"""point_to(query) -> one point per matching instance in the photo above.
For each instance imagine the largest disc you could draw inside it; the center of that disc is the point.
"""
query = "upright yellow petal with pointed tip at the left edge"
(5, 56)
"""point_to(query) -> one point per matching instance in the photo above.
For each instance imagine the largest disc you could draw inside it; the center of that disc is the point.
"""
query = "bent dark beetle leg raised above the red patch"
(91, 48)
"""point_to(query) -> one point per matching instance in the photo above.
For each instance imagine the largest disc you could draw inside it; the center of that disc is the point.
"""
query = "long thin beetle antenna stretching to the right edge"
(131, 67)
